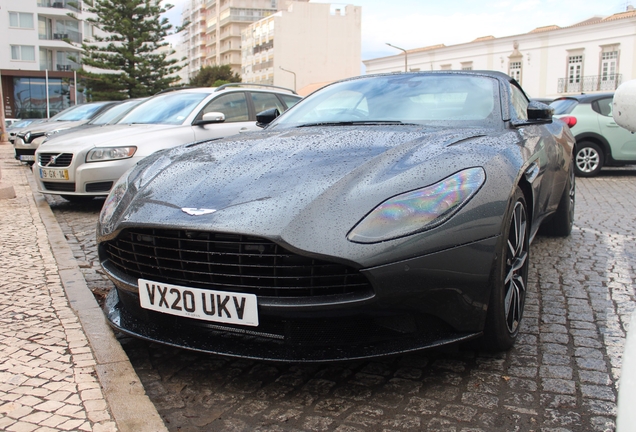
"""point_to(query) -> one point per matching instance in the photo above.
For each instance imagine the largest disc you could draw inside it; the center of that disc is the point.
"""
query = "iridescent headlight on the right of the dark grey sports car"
(418, 210)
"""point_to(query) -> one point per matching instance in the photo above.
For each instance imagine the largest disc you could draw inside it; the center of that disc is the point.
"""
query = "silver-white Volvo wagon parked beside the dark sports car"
(85, 164)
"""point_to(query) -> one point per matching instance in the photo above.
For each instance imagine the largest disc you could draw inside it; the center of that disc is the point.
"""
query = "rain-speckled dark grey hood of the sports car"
(295, 185)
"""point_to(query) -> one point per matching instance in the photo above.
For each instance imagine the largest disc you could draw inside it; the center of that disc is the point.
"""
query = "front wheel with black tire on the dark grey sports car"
(508, 290)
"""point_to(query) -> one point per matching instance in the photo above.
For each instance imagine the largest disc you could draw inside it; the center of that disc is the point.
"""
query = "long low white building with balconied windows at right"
(595, 55)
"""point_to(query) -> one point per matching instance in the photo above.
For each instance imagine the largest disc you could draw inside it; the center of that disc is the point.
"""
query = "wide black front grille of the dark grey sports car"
(228, 262)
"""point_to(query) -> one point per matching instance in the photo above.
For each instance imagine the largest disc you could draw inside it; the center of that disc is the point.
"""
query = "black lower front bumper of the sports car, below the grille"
(424, 302)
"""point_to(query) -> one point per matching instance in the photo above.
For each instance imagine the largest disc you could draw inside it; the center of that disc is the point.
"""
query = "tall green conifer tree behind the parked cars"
(129, 53)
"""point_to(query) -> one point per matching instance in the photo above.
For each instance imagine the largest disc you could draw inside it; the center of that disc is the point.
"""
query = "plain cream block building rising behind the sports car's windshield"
(305, 44)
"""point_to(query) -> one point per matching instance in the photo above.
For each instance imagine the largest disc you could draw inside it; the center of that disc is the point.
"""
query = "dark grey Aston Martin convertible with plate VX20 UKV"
(380, 215)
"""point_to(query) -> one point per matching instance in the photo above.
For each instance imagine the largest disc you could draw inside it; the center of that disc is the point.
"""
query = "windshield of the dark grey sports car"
(405, 98)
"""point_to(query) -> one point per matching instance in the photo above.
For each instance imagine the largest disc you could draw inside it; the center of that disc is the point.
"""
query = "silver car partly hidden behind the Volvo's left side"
(28, 139)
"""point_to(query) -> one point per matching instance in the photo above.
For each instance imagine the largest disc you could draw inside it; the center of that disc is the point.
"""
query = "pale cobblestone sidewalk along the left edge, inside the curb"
(47, 369)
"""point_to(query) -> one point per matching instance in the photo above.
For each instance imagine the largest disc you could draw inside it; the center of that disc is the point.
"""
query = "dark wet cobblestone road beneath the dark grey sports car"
(562, 375)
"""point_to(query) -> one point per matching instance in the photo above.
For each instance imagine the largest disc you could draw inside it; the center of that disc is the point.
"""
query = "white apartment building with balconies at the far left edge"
(36, 61)
